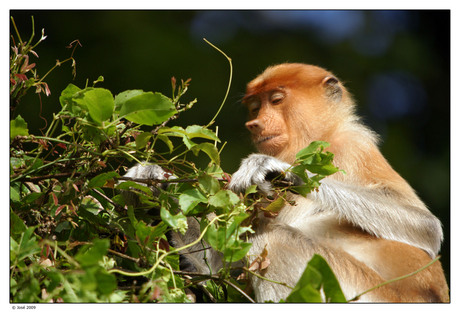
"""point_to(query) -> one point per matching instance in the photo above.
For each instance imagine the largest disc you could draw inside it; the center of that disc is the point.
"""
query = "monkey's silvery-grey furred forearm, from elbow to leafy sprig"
(380, 214)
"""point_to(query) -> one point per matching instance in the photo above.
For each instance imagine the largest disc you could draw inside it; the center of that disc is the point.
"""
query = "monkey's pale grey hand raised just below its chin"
(261, 170)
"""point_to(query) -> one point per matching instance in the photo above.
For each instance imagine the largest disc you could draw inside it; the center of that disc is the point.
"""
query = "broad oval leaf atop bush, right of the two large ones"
(147, 108)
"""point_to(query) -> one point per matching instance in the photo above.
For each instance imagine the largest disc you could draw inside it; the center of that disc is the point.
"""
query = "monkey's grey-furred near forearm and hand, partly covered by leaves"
(375, 210)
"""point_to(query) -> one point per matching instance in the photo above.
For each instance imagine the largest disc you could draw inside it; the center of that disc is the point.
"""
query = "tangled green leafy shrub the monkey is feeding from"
(75, 238)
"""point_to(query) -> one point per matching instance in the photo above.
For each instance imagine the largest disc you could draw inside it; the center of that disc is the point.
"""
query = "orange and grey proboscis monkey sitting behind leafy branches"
(368, 224)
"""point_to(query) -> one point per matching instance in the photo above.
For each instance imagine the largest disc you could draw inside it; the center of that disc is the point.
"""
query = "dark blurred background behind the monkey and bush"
(396, 63)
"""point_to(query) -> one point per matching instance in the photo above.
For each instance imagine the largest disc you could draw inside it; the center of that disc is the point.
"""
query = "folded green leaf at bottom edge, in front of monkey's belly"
(317, 278)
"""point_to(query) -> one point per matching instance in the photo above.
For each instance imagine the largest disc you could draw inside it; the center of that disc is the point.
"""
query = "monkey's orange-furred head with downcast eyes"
(291, 105)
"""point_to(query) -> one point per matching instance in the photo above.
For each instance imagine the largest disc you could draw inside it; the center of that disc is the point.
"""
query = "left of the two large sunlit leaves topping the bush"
(99, 102)
